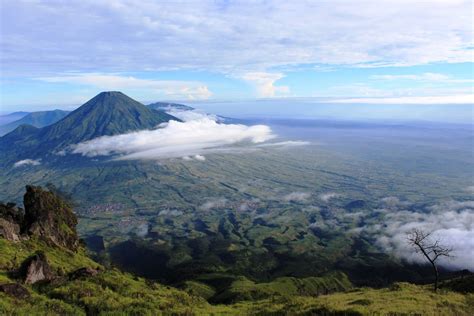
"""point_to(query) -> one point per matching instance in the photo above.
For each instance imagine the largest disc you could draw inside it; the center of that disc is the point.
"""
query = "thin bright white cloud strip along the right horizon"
(445, 99)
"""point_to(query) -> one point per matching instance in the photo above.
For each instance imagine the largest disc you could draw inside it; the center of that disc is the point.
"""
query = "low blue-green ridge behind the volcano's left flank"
(37, 119)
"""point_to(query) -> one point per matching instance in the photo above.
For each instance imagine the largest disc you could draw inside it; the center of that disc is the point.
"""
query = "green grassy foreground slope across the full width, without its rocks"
(112, 292)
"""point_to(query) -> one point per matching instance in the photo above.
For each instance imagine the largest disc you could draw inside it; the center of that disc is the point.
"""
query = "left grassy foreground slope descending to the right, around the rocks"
(110, 291)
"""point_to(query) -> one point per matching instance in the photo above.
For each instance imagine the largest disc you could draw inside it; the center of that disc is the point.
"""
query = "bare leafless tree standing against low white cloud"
(431, 249)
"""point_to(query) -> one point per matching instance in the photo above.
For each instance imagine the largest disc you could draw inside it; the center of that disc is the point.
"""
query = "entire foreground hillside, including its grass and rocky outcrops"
(42, 272)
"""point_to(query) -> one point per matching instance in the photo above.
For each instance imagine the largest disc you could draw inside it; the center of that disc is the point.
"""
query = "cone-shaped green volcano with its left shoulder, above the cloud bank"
(108, 113)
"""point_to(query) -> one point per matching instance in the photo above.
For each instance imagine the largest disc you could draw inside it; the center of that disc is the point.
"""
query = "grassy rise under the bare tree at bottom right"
(400, 299)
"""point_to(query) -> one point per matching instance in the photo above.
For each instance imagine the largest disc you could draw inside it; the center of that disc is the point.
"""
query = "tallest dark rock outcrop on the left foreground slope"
(50, 218)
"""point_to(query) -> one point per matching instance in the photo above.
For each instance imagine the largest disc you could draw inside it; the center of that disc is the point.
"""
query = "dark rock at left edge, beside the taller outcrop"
(11, 219)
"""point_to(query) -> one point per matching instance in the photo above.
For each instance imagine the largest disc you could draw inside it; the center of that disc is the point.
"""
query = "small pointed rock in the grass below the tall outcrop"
(36, 269)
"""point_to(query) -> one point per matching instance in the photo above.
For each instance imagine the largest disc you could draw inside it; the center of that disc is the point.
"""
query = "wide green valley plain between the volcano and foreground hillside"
(229, 214)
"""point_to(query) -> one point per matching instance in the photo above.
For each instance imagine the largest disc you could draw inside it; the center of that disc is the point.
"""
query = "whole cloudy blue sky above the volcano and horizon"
(61, 53)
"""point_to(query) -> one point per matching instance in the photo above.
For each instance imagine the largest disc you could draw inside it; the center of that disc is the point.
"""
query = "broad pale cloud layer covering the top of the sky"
(145, 35)
